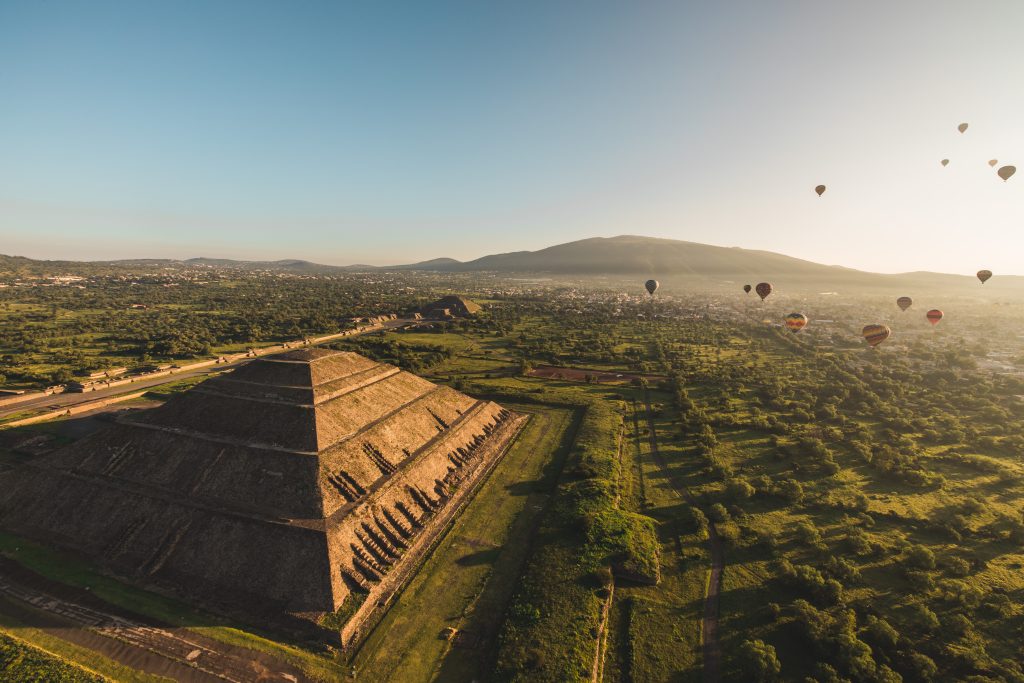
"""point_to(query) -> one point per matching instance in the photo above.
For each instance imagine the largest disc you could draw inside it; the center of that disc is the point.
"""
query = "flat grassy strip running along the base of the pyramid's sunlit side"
(468, 581)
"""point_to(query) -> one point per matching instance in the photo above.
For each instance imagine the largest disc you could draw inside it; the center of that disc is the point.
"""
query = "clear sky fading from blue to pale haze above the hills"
(387, 133)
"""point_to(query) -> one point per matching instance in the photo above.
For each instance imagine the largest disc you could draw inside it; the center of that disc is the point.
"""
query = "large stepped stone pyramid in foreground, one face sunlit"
(285, 486)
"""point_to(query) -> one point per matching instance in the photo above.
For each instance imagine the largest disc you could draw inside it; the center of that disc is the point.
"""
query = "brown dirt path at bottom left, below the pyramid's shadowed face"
(175, 653)
